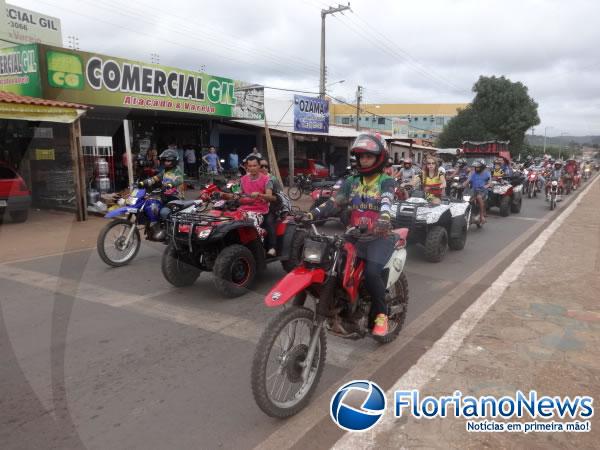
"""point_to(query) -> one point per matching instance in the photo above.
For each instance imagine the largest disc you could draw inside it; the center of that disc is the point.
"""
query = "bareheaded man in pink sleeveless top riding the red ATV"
(258, 190)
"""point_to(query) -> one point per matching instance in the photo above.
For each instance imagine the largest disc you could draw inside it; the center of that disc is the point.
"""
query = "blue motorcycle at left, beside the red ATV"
(119, 241)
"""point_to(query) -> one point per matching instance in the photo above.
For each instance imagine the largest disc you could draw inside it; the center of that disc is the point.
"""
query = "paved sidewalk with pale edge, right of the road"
(542, 333)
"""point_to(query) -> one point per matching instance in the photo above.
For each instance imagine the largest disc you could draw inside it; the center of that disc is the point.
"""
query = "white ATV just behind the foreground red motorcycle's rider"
(435, 226)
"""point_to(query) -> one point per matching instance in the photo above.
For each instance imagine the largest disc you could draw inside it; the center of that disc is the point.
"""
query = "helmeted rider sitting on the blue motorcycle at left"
(170, 177)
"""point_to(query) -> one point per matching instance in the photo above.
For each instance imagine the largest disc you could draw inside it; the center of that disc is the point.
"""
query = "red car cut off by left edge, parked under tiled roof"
(15, 196)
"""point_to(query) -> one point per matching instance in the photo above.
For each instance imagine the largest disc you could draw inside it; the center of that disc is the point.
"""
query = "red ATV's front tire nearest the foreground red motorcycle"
(234, 270)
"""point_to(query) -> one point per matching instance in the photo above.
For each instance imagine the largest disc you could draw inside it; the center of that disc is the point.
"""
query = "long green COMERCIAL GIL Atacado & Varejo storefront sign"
(93, 79)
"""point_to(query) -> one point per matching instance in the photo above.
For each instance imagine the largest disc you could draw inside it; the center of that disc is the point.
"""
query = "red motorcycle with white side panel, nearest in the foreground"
(294, 343)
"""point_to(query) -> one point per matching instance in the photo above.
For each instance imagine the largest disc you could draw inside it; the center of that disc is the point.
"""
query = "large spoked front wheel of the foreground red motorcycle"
(276, 376)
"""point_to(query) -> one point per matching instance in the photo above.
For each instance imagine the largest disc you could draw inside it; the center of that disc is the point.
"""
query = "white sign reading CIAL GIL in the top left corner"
(28, 27)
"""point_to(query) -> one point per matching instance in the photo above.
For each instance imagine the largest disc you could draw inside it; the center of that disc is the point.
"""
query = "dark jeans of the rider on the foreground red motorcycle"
(376, 255)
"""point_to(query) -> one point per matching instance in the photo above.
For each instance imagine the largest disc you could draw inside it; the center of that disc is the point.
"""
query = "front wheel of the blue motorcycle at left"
(112, 244)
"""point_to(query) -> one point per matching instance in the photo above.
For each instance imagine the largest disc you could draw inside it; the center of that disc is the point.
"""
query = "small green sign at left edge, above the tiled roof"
(20, 70)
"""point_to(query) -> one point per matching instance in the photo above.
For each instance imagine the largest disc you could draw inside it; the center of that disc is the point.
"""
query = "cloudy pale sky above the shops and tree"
(399, 51)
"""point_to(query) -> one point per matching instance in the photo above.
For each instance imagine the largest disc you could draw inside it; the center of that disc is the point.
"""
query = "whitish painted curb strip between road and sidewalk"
(434, 359)
